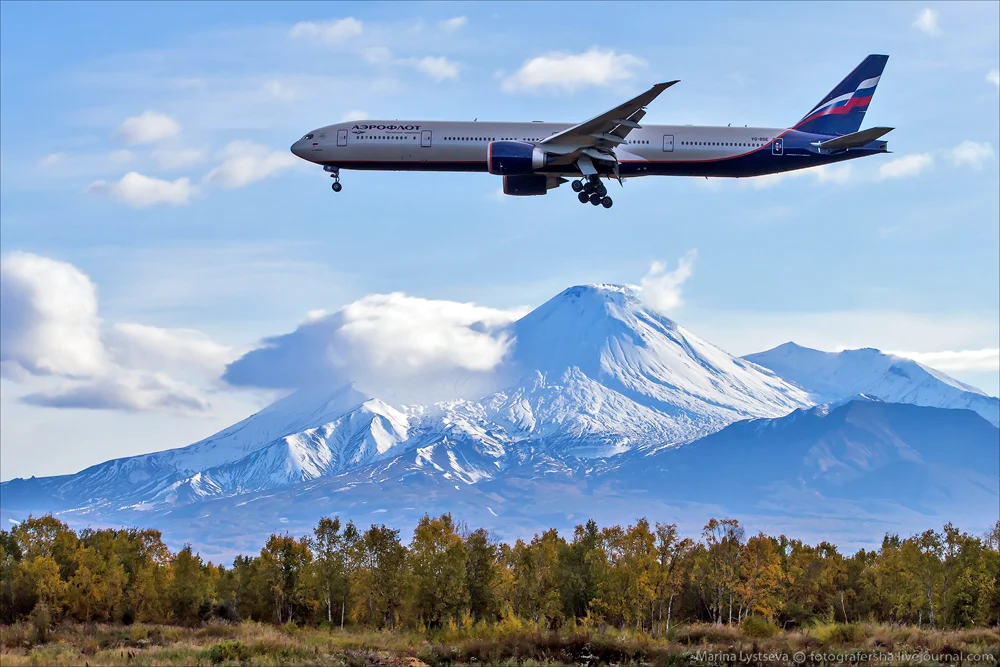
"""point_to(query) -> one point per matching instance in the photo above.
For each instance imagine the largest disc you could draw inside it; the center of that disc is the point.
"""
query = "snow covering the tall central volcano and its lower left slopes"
(593, 373)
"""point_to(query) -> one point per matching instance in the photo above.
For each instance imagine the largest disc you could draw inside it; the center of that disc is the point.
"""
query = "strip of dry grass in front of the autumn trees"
(259, 644)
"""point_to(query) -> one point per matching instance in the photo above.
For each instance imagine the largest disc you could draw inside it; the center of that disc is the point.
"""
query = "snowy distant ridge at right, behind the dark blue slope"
(832, 376)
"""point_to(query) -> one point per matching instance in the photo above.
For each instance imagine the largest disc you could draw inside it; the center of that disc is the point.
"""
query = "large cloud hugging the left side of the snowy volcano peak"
(389, 345)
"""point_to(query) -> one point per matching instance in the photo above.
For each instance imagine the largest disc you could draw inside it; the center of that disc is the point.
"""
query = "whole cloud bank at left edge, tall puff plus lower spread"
(50, 329)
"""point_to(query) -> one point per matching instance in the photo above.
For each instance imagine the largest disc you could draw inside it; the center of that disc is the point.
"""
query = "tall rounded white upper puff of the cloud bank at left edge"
(49, 322)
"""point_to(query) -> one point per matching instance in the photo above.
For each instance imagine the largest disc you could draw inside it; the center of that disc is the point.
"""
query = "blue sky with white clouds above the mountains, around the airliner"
(154, 227)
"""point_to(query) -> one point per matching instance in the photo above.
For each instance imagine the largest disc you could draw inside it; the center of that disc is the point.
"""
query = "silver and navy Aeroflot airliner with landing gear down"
(536, 157)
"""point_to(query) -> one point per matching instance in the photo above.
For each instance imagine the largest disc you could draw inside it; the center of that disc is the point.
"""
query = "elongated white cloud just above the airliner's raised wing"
(570, 71)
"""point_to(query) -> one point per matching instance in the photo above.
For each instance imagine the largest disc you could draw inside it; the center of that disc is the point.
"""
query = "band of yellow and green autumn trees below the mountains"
(643, 577)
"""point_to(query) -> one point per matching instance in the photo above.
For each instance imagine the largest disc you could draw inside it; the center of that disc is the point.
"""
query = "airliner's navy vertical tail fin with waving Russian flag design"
(842, 111)
